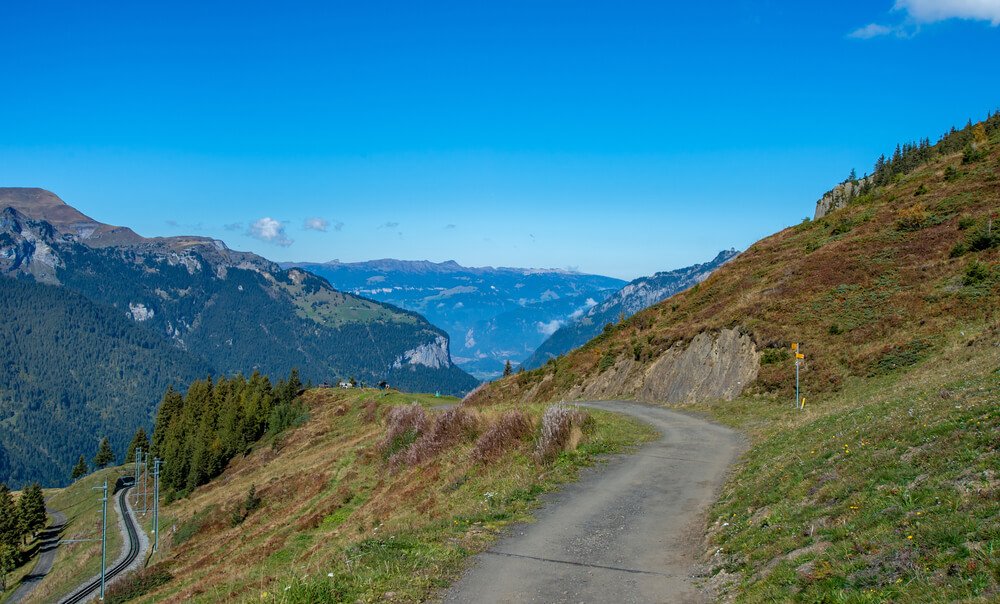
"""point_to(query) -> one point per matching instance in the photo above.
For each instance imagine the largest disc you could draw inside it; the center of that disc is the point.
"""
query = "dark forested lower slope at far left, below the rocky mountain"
(73, 371)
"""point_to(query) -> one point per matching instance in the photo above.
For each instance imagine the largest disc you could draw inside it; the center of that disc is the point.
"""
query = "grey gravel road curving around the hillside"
(629, 531)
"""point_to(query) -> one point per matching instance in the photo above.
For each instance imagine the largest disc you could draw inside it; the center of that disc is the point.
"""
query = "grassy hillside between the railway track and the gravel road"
(340, 517)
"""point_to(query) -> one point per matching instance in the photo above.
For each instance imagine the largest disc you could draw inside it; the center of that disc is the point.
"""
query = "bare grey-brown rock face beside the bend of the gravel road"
(712, 366)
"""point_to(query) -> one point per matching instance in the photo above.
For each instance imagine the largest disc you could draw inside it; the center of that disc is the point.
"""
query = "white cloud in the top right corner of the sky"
(921, 12)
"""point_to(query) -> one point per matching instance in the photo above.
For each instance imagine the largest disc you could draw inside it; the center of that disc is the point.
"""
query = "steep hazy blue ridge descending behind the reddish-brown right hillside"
(638, 294)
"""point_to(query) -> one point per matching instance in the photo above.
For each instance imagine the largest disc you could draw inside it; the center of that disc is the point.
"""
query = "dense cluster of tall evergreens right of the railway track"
(198, 433)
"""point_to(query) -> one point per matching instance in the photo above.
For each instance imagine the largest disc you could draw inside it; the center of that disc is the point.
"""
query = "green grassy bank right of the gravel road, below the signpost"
(886, 491)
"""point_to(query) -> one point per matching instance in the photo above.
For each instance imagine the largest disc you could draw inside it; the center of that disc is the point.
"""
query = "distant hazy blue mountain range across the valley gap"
(492, 314)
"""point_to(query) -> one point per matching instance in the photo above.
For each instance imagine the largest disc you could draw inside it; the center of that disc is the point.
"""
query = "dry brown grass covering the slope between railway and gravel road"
(327, 487)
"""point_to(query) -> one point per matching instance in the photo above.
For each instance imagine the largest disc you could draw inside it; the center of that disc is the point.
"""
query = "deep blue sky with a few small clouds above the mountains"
(613, 137)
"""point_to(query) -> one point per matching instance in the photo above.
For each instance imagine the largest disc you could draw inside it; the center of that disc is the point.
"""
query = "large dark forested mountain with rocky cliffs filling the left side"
(103, 319)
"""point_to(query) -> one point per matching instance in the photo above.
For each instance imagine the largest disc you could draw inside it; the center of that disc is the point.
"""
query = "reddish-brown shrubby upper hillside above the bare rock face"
(869, 288)
